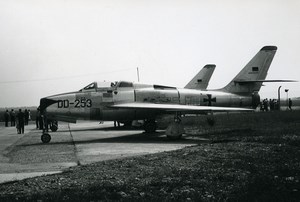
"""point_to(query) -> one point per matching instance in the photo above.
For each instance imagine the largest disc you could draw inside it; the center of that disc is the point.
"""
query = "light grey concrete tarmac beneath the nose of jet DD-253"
(24, 155)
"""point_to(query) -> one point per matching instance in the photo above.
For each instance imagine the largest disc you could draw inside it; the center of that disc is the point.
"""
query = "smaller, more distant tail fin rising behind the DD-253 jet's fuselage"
(201, 80)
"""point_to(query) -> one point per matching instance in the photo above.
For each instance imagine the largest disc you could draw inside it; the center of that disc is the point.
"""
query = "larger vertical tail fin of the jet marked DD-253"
(250, 78)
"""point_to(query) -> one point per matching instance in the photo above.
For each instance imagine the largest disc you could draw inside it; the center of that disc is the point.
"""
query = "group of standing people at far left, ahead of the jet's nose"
(19, 119)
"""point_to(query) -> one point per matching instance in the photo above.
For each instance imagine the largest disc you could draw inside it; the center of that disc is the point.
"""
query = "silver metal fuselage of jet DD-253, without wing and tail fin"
(95, 104)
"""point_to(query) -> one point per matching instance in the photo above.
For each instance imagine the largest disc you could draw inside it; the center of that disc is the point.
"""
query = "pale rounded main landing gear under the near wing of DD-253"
(175, 129)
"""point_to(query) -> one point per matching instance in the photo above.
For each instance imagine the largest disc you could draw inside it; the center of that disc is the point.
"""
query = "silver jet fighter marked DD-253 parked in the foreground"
(126, 101)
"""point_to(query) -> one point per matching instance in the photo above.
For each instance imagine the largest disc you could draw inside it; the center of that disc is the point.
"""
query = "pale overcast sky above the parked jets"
(50, 47)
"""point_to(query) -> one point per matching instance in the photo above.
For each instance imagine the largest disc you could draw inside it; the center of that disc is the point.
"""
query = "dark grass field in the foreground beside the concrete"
(250, 157)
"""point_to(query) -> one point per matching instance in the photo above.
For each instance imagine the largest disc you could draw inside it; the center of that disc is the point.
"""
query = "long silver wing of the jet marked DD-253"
(176, 107)
